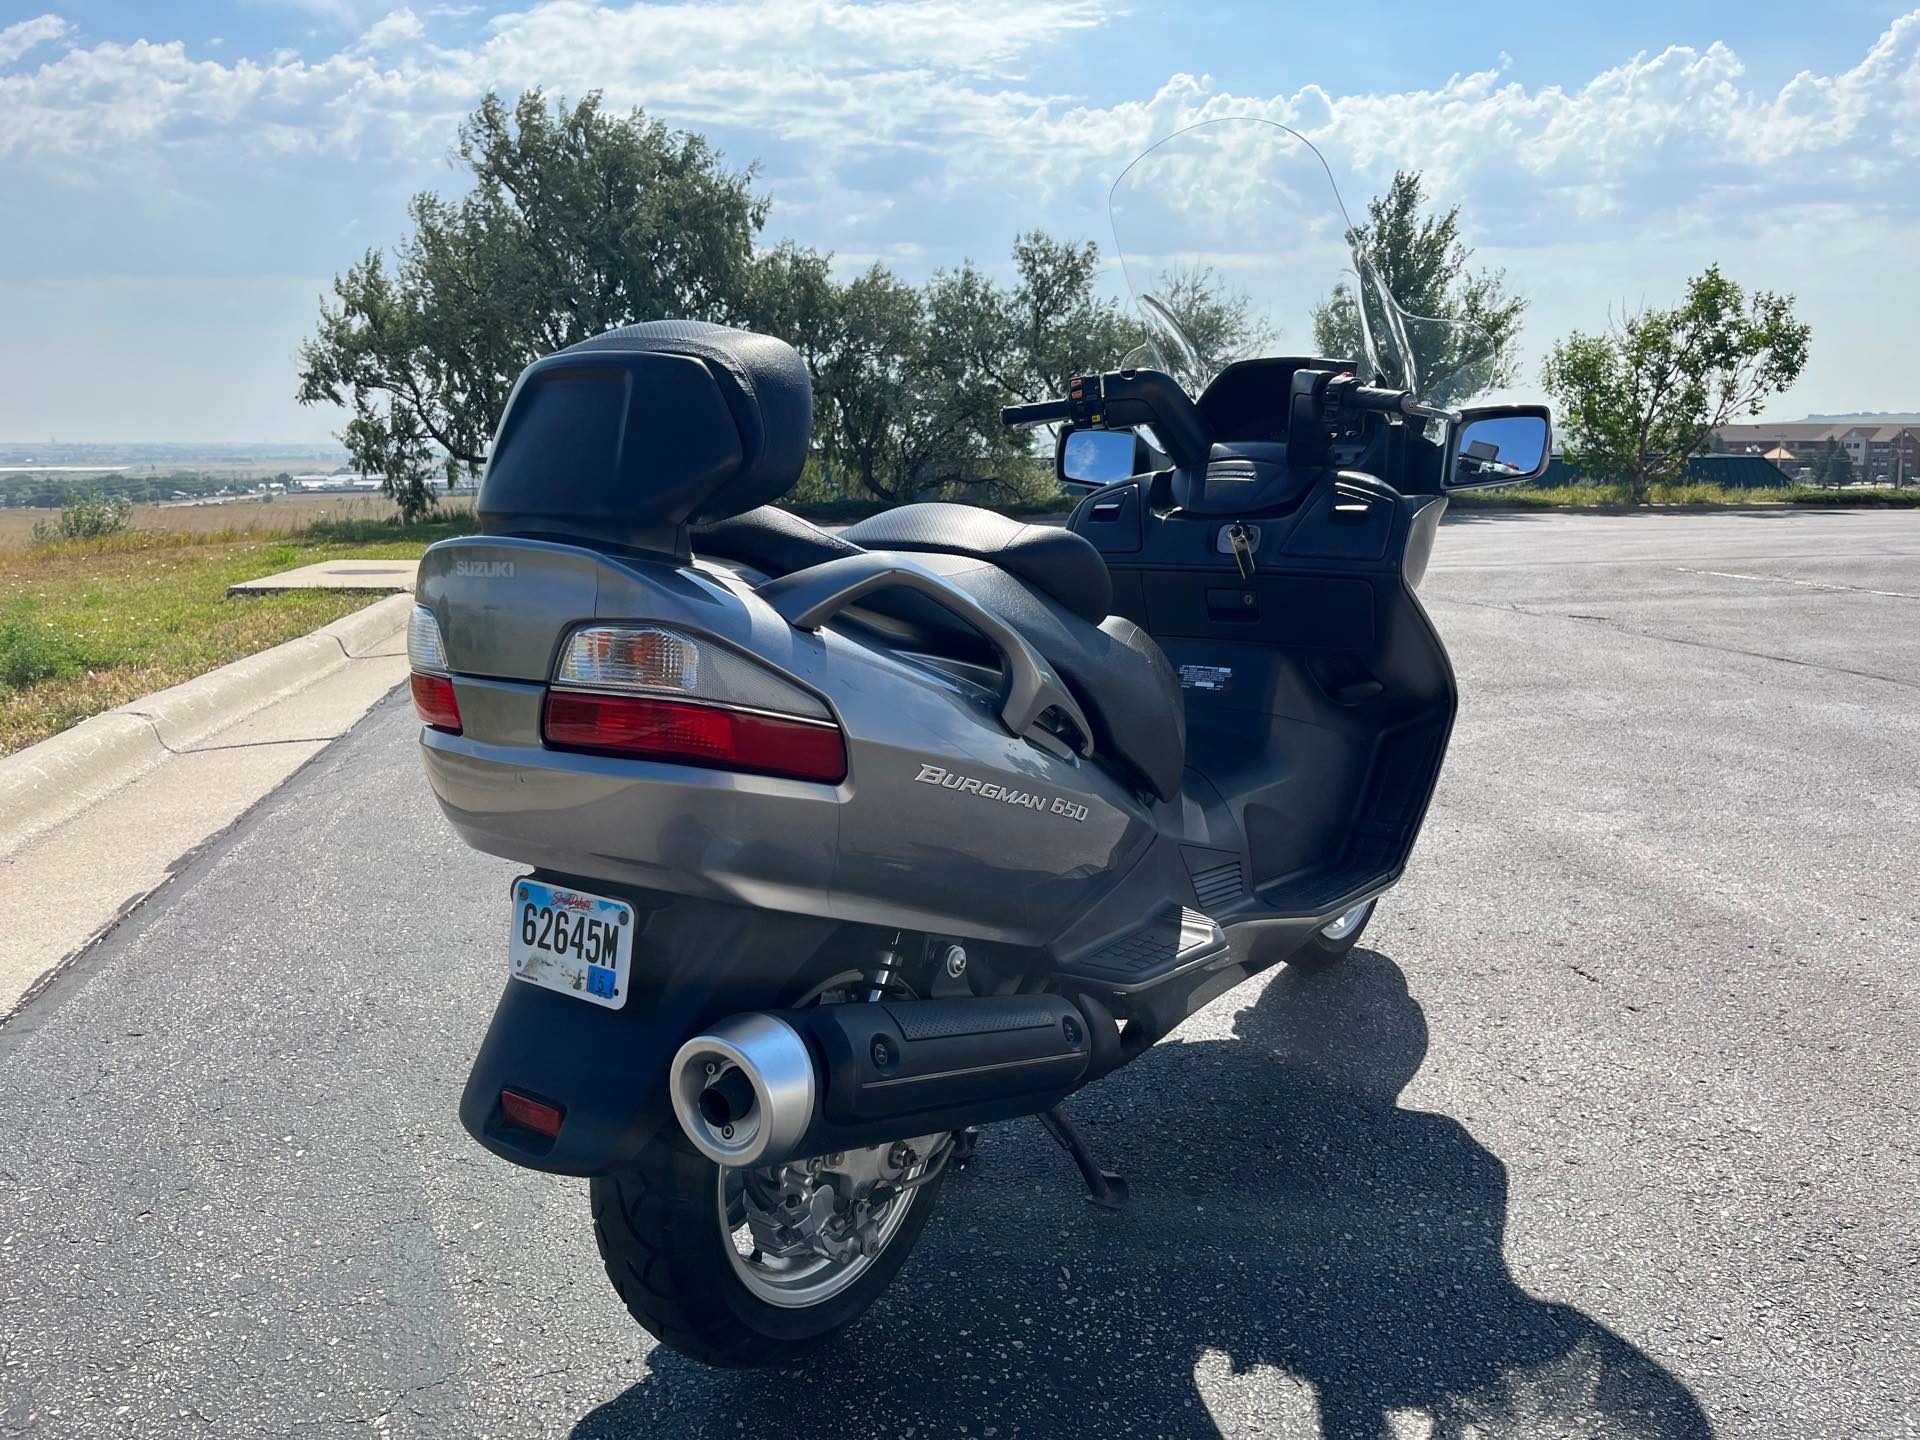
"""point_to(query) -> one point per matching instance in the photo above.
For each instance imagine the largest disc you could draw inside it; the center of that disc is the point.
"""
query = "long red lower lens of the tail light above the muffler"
(696, 734)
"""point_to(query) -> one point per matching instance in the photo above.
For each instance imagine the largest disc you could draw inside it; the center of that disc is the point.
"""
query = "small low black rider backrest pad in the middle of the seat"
(1057, 562)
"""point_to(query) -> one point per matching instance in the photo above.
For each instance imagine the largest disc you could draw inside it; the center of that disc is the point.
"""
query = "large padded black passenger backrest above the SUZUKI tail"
(633, 435)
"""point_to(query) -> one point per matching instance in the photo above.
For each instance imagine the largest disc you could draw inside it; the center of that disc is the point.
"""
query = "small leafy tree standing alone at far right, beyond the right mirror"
(1641, 400)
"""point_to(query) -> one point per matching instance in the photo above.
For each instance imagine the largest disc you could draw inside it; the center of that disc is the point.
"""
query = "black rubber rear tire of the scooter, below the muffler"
(667, 1255)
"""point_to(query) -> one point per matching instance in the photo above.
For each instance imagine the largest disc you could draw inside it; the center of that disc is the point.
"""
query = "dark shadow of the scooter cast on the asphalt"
(1287, 1218)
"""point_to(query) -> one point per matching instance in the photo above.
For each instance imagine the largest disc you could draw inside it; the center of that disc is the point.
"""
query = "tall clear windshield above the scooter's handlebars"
(1236, 245)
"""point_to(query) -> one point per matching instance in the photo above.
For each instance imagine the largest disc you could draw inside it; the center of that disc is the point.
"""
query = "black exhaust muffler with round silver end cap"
(769, 1088)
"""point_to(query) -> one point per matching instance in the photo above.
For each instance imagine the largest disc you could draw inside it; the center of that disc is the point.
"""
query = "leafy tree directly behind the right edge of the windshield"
(1460, 325)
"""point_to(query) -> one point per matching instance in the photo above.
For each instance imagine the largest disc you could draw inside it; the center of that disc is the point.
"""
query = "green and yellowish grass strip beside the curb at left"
(95, 623)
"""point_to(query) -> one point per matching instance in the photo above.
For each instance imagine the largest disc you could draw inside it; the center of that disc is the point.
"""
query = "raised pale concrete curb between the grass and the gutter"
(64, 775)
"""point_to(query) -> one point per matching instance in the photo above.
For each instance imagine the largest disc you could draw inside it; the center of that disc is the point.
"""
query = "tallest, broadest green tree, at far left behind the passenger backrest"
(577, 222)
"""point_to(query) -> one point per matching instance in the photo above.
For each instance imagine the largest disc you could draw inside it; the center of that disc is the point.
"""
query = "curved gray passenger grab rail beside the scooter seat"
(809, 598)
